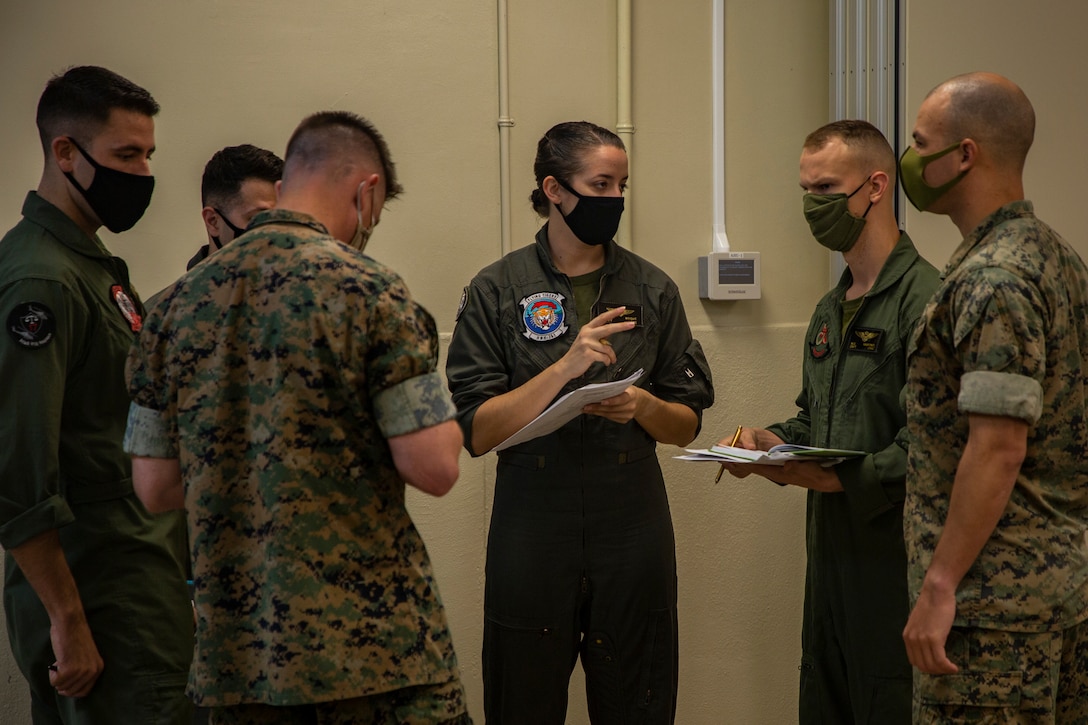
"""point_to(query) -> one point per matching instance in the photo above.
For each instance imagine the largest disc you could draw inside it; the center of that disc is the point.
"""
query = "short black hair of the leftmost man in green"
(78, 103)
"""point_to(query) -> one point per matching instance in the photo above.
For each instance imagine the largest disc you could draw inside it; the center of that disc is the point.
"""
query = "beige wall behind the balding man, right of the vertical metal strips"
(1041, 47)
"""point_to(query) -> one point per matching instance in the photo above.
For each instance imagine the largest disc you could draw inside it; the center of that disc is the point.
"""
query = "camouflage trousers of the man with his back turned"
(425, 705)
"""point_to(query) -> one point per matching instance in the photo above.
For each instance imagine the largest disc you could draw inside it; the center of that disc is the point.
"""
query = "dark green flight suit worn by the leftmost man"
(70, 316)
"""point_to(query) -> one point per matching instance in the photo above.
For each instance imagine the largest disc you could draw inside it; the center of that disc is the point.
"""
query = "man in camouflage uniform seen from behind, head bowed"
(302, 382)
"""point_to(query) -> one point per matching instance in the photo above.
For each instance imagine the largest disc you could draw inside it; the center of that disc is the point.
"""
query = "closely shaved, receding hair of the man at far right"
(994, 112)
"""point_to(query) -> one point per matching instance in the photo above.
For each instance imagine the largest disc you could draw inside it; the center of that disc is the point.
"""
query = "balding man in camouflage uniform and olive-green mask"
(997, 485)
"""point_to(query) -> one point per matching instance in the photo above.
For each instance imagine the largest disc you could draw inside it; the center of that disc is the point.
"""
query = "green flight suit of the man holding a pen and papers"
(854, 663)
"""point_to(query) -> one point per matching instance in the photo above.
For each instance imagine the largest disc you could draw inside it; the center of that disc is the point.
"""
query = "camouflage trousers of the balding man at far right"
(1009, 678)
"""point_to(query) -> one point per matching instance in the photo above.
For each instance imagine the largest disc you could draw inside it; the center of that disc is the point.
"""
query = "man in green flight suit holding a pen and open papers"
(854, 666)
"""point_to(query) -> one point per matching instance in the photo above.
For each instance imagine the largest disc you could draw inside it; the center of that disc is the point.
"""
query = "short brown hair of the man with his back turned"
(329, 141)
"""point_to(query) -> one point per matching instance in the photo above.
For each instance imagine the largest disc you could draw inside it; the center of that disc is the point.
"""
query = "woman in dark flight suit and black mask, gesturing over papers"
(580, 554)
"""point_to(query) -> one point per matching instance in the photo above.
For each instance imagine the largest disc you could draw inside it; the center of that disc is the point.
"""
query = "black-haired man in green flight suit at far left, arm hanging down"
(95, 595)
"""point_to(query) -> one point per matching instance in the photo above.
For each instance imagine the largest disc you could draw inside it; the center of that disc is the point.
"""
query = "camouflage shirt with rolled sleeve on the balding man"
(1006, 335)
